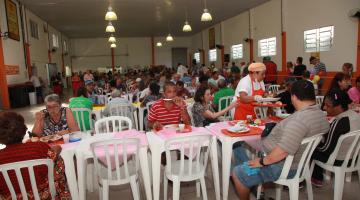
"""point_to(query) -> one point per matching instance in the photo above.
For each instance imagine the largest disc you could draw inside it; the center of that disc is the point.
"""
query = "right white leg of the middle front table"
(215, 167)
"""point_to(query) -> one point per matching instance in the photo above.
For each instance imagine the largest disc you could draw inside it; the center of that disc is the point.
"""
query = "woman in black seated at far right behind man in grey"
(336, 105)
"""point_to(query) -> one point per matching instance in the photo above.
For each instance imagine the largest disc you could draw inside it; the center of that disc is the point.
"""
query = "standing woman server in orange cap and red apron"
(251, 88)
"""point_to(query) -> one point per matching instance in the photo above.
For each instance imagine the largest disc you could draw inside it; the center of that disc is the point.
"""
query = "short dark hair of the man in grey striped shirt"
(303, 90)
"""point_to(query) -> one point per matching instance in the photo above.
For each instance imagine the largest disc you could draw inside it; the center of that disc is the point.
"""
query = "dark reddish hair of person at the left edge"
(12, 128)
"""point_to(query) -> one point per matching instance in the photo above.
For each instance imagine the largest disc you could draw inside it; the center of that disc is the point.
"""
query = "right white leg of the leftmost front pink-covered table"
(145, 171)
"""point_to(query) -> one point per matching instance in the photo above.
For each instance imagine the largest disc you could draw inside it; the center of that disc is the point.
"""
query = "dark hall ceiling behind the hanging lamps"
(136, 18)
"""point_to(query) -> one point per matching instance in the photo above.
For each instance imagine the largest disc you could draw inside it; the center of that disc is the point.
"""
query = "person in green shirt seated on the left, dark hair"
(81, 101)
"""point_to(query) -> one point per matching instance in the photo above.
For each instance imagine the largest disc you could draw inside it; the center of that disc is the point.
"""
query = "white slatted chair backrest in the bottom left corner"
(29, 165)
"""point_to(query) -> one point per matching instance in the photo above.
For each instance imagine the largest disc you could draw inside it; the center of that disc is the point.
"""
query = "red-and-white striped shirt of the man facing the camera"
(160, 113)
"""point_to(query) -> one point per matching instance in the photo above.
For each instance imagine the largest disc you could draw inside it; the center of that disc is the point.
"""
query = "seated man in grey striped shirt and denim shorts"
(284, 139)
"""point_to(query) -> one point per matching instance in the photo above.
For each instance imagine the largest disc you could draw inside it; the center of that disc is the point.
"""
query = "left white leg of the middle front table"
(156, 162)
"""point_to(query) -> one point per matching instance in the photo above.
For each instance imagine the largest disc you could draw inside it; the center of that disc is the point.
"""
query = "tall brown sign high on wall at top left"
(12, 20)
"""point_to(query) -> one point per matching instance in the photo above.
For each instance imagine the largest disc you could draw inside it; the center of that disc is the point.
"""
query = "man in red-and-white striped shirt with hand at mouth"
(168, 110)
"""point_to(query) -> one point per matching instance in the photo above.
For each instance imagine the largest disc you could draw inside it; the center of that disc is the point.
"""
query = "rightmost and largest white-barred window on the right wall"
(320, 39)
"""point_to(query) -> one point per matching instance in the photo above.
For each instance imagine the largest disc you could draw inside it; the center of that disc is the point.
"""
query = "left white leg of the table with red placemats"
(226, 165)
